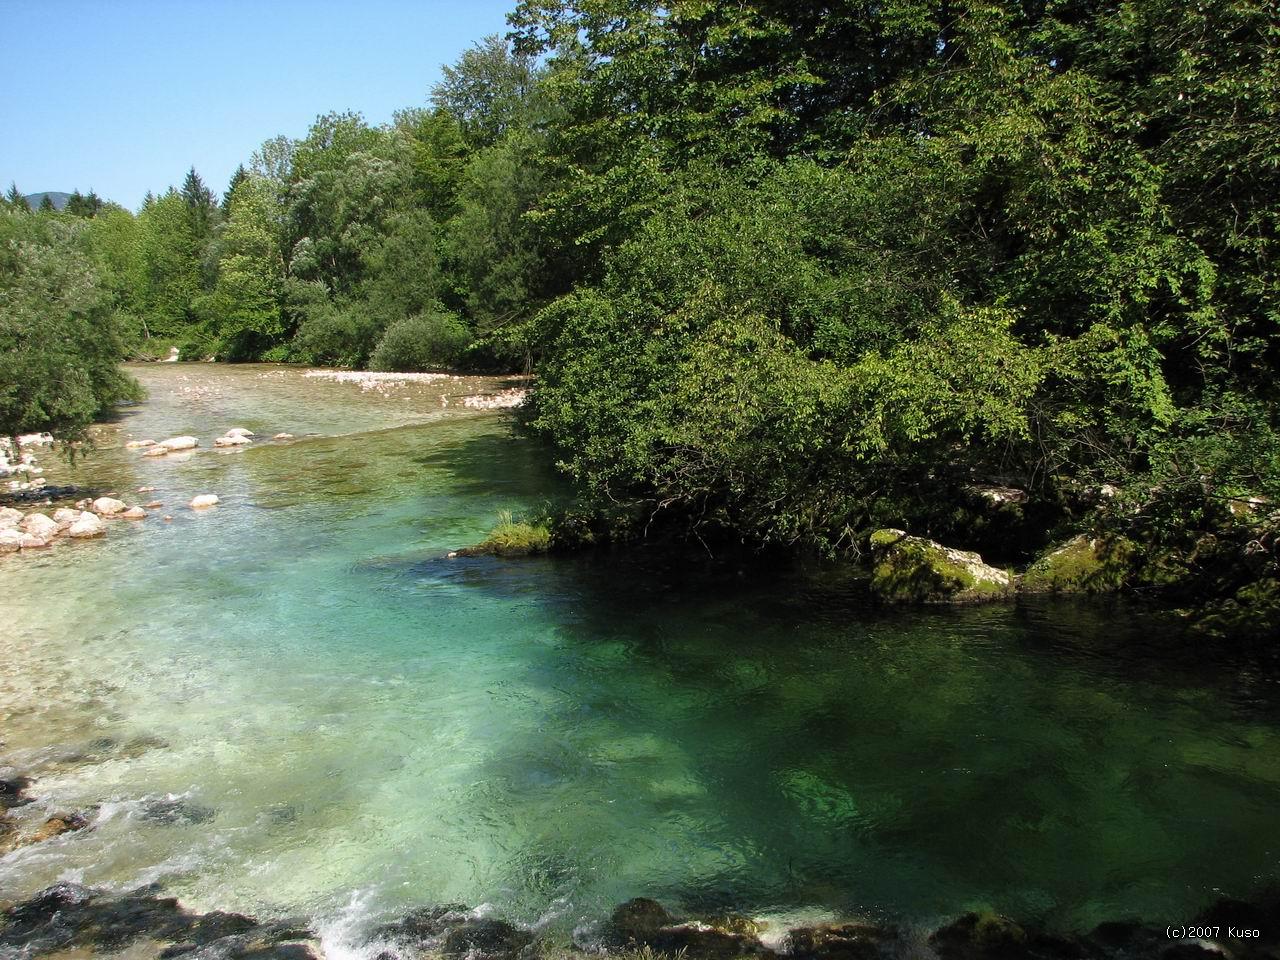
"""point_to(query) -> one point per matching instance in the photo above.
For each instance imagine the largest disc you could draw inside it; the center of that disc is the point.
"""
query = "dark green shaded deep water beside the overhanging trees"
(1053, 760)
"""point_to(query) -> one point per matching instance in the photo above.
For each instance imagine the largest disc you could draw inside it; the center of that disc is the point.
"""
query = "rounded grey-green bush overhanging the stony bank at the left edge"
(60, 341)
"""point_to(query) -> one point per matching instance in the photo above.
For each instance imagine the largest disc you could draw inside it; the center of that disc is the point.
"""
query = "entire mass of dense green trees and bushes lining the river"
(788, 273)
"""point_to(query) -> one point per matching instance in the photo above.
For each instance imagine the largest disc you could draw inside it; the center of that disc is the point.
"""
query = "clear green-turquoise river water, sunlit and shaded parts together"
(372, 726)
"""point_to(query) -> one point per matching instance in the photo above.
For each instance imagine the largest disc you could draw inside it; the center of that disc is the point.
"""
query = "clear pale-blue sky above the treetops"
(122, 97)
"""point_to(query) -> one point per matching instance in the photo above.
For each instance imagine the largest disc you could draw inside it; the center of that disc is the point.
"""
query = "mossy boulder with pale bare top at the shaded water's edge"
(915, 570)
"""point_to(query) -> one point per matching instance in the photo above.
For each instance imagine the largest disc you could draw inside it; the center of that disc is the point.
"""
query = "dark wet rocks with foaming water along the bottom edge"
(70, 920)
